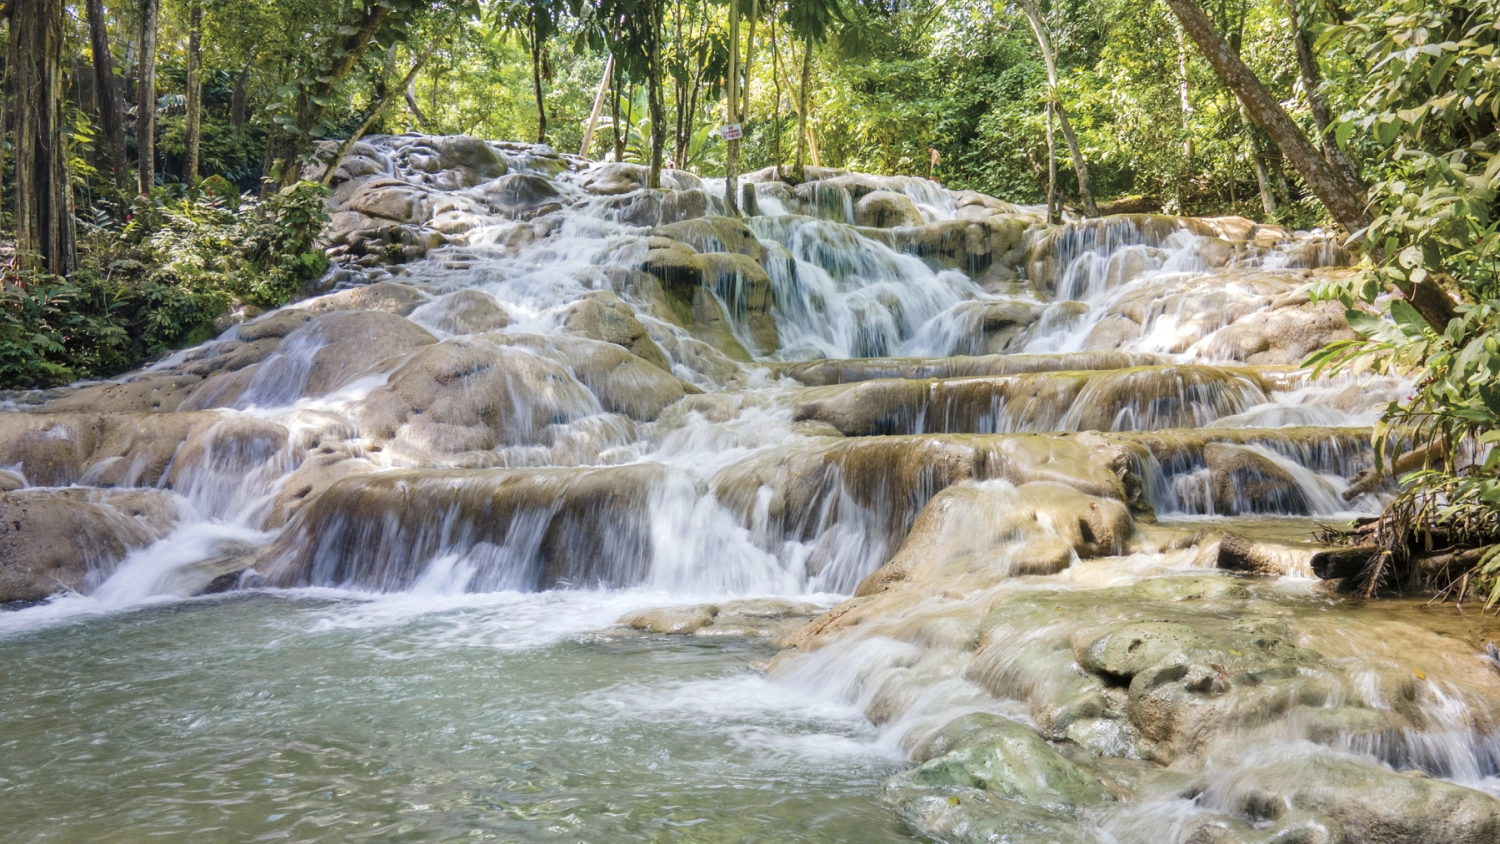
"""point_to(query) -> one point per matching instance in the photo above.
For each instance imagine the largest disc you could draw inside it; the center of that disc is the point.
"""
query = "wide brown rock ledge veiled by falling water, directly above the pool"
(583, 528)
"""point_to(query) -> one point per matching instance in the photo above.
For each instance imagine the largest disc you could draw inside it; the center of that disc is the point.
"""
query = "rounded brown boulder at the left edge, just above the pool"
(70, 539)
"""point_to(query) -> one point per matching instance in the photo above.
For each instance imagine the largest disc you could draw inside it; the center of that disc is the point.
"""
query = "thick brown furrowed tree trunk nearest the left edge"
(43, 211)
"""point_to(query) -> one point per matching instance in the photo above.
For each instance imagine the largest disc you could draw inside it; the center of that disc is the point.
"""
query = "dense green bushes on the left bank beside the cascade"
(160, 281)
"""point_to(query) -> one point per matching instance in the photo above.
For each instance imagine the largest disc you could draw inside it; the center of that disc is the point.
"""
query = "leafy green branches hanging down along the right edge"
(1432, 80)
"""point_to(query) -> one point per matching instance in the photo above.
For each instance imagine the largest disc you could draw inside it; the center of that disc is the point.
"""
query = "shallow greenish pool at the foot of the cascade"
(323, 717)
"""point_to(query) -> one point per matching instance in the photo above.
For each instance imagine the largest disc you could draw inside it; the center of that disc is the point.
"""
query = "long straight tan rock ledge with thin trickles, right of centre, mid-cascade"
(1144, 398)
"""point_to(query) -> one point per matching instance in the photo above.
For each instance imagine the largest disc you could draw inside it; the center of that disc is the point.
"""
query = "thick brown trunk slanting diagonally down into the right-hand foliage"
(1346, 205)
